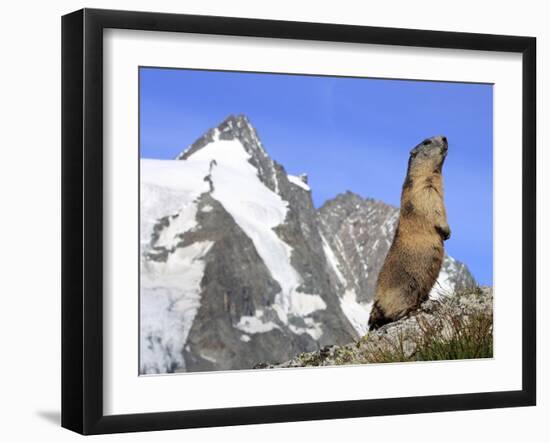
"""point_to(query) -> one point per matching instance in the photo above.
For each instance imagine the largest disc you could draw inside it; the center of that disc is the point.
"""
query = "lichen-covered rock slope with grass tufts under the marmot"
(444, 321)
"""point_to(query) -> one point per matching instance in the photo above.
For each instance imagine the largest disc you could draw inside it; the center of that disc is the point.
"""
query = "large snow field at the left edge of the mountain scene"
(169, 290)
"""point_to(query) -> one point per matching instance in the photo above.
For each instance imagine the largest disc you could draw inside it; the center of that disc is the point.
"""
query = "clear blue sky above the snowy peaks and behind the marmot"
(346, 133)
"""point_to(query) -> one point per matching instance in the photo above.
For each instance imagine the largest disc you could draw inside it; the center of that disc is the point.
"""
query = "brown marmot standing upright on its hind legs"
(414, 260)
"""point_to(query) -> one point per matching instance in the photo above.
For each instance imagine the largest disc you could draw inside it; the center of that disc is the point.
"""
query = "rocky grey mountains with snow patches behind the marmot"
(238, 267)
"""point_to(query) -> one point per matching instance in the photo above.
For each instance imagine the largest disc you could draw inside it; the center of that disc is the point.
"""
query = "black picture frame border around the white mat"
(82, 220)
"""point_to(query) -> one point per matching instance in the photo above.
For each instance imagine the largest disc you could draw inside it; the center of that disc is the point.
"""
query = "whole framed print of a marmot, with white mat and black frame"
(269, 221)
